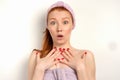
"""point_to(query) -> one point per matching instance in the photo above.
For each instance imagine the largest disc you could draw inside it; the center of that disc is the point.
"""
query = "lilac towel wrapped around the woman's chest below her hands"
(60, 74)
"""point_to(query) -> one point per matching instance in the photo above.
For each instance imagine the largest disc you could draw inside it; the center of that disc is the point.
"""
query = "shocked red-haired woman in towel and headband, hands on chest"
(58, 60)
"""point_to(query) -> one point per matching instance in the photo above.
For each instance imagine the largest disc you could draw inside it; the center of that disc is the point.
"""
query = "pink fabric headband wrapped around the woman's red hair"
(62, 4)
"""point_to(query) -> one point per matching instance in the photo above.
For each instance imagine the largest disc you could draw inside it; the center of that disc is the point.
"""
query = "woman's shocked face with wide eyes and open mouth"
(60, 26)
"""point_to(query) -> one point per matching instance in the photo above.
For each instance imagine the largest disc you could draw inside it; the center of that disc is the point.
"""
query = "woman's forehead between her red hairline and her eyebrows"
(59, 14)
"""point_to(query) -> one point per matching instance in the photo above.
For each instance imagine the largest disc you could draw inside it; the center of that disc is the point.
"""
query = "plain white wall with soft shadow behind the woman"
(97, 29)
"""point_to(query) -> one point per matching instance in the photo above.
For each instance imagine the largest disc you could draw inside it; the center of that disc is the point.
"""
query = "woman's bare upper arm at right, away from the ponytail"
(90, 65)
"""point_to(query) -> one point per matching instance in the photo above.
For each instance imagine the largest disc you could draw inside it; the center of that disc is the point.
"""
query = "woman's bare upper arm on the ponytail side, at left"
(32, 64)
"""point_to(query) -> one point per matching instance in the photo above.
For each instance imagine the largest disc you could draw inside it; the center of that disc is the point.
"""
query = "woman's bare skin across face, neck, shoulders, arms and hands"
(84, 64)
